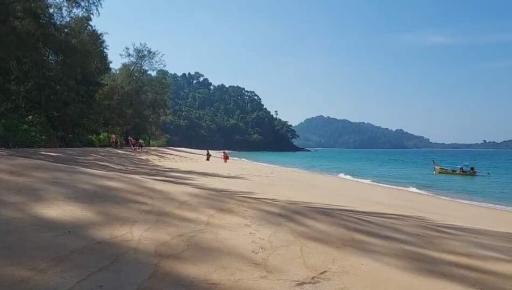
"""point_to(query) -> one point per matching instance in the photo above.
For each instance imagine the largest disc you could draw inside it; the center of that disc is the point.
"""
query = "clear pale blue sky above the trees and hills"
(441, 69)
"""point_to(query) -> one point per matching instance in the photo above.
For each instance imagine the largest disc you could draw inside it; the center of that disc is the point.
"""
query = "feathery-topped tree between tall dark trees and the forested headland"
(135, 97)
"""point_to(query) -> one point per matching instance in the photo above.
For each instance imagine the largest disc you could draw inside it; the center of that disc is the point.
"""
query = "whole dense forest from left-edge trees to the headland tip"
(57, 89)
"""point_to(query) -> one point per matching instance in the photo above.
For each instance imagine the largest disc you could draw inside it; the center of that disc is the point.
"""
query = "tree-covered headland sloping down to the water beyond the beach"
(204, 115)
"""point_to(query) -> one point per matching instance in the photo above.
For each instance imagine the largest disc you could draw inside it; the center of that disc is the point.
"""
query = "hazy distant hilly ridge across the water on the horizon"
(327, 132)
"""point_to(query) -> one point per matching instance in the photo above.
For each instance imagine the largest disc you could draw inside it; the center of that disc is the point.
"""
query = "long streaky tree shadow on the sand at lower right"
(410, 243)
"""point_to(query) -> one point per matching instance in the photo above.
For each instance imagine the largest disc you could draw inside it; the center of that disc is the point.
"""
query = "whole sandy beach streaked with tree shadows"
(167, 219)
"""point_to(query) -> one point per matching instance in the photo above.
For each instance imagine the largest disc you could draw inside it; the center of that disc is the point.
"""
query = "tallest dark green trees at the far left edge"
(51, 63)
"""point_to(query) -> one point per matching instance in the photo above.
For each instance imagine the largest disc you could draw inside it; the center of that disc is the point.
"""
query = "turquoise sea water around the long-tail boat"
(409, 169)
